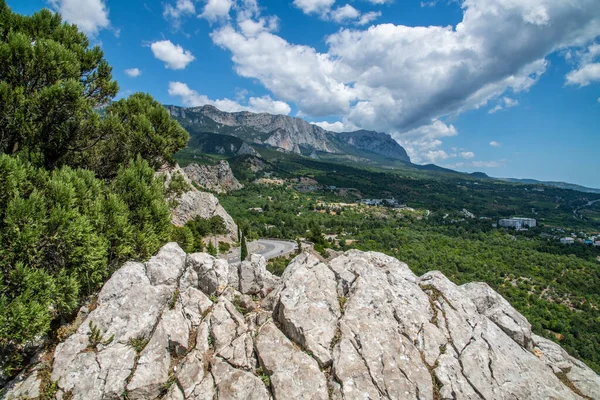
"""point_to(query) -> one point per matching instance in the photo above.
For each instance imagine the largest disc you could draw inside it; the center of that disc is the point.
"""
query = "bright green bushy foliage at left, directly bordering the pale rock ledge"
(61, 235)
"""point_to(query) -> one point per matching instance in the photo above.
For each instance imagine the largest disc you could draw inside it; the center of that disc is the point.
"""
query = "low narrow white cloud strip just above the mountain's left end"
(191, 98)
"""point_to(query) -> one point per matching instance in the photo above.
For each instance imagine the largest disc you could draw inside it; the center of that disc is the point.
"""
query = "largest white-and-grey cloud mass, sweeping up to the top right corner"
(400, 79)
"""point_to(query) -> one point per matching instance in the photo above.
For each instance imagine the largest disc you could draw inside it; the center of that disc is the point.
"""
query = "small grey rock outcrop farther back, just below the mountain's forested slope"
(217, 178)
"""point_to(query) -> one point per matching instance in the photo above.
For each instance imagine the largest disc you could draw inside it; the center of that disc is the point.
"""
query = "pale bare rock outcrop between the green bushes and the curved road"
(193, 203)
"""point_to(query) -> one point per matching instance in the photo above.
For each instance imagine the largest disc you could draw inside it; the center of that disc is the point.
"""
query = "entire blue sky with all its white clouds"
(507, 87)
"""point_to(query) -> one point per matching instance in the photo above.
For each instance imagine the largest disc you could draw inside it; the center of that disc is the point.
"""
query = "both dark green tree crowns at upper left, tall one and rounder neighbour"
(51, 86)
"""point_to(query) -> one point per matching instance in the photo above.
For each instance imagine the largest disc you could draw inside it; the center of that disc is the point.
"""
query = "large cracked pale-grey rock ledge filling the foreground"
(361, 326)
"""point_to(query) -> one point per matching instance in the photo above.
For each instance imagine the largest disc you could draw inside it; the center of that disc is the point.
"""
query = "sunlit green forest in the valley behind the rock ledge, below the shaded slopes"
(556, 287)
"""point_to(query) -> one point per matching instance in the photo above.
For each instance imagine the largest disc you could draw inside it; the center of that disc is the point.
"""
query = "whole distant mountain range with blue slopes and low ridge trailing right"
(229, 134)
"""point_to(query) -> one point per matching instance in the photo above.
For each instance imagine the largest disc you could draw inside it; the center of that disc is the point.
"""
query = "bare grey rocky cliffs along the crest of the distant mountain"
(292, 134)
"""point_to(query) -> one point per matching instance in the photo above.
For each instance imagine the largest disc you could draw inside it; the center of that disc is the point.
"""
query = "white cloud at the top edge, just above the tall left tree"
(90, 16)
